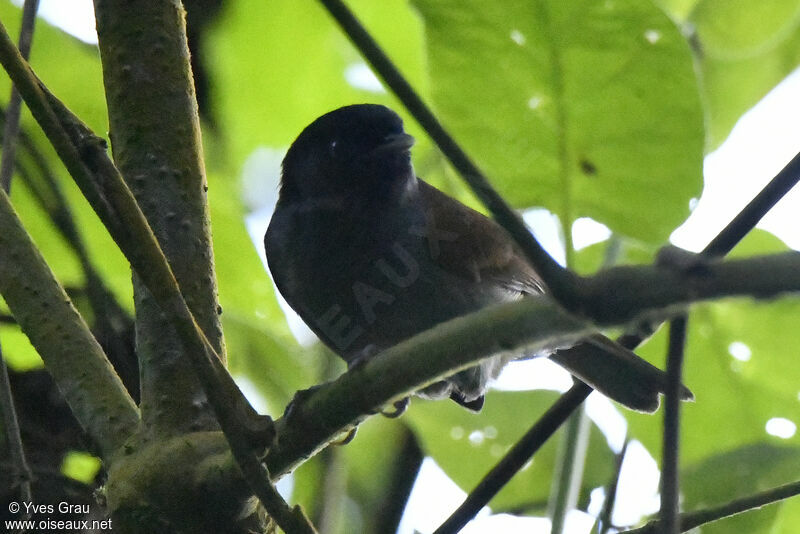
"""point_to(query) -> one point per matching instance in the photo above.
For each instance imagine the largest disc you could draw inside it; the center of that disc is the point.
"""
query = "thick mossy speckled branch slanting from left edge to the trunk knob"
(84, 376)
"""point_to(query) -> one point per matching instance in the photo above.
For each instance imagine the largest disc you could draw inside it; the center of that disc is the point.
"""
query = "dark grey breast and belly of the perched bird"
(367, 279)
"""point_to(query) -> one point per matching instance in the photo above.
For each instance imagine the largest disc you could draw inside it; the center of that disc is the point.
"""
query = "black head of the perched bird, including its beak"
(360, 149)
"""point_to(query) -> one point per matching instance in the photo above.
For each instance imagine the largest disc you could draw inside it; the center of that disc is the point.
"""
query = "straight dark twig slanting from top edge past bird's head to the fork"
(562, 283)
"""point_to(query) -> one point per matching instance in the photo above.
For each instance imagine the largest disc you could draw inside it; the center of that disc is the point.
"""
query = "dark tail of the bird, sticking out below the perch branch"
(617, 373)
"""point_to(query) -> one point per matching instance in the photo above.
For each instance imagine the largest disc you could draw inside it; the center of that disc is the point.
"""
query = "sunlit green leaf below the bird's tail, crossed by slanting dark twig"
(467, 445)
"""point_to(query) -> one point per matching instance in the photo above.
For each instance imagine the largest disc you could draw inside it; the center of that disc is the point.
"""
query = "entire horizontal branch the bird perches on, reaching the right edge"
(623, 294)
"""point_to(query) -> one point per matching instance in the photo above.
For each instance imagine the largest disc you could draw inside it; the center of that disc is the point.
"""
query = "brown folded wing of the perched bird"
(467, 244)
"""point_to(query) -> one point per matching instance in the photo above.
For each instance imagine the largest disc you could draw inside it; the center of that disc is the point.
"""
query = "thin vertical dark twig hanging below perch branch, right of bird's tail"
(670, 486)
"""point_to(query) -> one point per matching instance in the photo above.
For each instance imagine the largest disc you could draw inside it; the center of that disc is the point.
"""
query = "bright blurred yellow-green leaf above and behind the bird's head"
(276, 69)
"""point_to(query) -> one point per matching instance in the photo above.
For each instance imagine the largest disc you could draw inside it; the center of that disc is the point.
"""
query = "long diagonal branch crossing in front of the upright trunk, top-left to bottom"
(84, 155)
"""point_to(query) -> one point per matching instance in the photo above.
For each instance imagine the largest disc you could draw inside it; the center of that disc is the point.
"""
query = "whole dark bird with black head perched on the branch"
(368, 255)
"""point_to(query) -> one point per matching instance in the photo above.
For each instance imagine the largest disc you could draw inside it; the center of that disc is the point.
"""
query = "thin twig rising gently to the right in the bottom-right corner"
(690, 520)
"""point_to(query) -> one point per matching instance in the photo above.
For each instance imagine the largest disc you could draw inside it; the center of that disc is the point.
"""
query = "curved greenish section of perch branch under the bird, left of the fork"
(317, 417)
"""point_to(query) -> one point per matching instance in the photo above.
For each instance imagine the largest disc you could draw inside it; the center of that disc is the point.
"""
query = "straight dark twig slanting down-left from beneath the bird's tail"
(516, 458)
